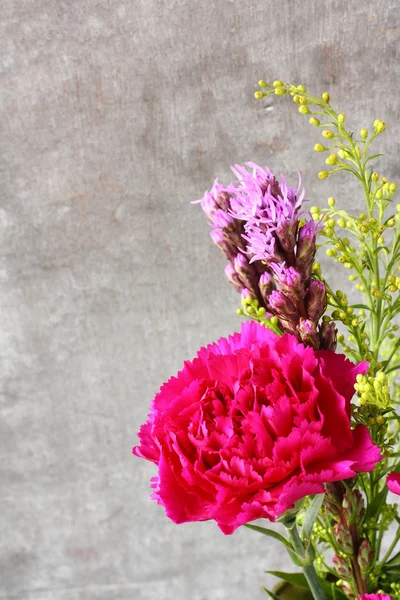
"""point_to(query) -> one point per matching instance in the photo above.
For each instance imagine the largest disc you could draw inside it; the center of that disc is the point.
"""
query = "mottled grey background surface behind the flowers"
(115, 114)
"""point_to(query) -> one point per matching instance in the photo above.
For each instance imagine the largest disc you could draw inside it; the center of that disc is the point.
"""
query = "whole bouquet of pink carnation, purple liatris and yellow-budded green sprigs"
(274, 423)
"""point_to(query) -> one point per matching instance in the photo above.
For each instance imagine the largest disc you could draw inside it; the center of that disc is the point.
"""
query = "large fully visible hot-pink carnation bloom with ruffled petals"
(252, 425)
